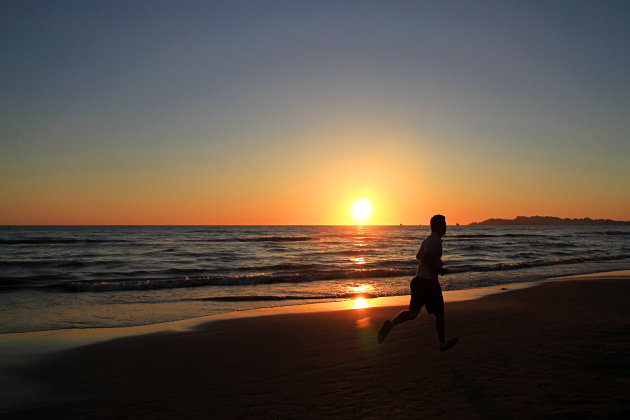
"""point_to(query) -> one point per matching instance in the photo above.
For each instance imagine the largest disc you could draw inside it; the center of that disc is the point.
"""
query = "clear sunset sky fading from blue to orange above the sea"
(287, 112)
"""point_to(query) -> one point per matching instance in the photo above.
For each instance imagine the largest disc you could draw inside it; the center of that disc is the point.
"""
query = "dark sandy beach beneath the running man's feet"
(561, 349)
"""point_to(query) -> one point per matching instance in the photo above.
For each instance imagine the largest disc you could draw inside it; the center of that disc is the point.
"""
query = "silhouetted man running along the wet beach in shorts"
(425, 288)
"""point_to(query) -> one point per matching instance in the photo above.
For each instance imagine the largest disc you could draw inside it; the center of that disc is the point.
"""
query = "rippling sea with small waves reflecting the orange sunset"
(69, 277)
